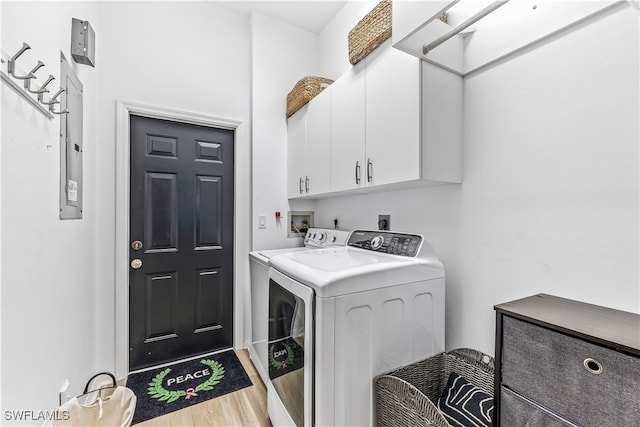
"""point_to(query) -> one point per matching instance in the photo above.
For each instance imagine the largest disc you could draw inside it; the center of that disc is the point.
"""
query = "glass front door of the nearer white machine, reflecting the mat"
(290, 351)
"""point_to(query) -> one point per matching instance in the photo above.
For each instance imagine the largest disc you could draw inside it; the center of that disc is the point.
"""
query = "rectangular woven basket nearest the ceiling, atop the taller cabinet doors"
(370, 32)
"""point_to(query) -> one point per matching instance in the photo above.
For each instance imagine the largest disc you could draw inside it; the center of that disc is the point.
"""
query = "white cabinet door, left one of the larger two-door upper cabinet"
(347, 130)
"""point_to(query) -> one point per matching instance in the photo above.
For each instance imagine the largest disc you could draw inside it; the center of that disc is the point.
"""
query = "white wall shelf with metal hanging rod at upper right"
(479, 33)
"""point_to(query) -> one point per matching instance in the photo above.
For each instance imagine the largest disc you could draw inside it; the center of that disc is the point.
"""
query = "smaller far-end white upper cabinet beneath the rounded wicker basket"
(308, 148)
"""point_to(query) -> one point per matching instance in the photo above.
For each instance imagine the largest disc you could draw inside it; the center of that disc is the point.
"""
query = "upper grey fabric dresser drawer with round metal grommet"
(553, 370)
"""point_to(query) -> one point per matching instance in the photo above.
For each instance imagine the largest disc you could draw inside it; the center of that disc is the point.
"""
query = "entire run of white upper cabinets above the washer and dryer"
(392, 121)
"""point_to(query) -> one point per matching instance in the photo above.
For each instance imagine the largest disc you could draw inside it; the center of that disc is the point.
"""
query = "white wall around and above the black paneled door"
(191, 56)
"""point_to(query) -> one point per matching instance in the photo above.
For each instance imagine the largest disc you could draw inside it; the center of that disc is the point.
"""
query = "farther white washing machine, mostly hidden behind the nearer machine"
(316, 238)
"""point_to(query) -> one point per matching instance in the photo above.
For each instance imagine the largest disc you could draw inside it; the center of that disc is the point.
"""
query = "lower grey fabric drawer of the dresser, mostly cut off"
(517, 411)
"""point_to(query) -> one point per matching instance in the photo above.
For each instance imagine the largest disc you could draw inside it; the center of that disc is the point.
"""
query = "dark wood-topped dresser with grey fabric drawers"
(561, 362)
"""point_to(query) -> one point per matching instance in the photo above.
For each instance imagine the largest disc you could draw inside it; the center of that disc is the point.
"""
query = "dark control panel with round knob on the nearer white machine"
(386, 242)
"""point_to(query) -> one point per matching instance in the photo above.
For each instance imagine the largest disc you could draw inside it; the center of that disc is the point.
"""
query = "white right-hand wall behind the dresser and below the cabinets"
(549, 201)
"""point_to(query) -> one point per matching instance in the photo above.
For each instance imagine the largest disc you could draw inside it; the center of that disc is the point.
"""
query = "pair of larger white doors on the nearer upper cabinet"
(376, 122)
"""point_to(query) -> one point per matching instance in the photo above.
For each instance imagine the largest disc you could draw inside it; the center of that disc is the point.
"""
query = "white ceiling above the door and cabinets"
(310, 15)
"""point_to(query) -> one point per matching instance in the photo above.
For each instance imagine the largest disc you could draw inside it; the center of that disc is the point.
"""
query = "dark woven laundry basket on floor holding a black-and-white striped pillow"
(407, 396)
